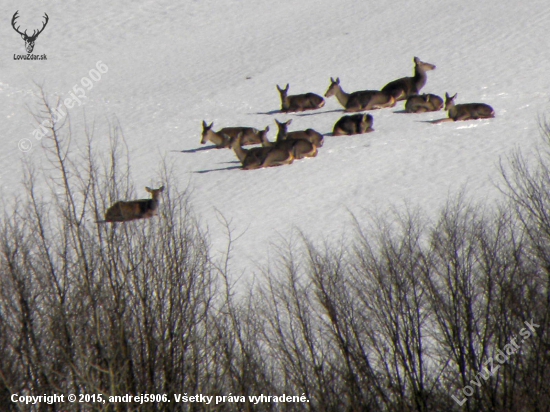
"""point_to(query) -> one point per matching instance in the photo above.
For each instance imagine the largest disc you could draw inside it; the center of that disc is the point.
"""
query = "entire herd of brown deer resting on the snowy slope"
(293, 145)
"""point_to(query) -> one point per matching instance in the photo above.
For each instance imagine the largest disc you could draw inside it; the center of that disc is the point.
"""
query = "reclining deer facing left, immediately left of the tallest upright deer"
(359, 101)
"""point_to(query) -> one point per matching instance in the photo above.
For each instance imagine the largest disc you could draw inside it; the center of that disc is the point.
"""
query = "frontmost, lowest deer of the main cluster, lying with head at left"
(260, 157)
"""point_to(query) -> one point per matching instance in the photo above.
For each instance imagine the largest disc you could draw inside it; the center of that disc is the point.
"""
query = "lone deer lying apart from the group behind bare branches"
(124, 211)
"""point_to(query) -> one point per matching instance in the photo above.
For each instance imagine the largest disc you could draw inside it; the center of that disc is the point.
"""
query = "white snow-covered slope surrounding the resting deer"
(172, 65)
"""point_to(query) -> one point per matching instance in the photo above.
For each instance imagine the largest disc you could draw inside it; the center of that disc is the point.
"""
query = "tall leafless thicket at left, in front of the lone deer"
(101, 309)
